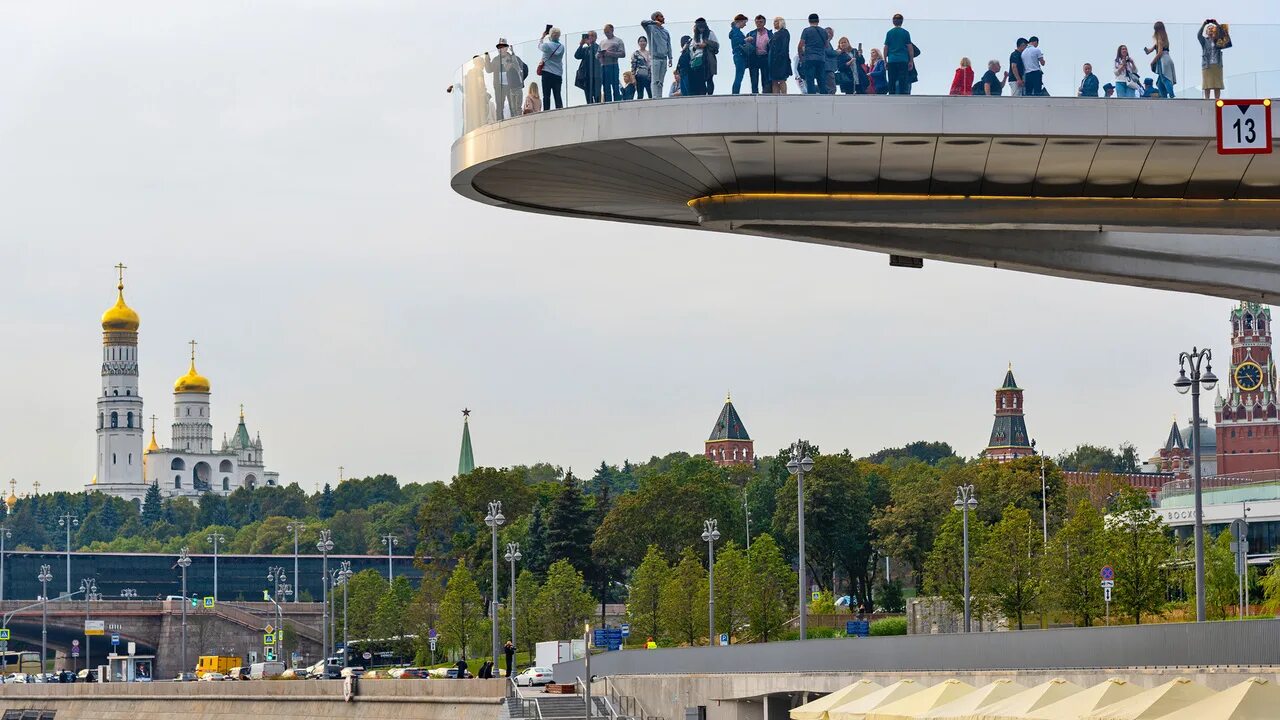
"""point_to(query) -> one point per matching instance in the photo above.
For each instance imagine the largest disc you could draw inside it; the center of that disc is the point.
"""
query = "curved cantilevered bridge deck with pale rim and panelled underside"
(1108, 192)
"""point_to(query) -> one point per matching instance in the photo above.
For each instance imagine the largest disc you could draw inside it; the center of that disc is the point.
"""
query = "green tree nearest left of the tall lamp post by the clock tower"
(1137, 548)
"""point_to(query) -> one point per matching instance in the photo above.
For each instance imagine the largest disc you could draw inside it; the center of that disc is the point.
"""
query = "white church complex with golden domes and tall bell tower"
(191, 466)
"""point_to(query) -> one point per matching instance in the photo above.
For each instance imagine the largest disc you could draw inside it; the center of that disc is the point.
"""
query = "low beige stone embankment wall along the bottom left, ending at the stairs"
(313, 700)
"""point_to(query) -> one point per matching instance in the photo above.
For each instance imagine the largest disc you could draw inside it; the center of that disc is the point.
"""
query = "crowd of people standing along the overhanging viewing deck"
(764, 62)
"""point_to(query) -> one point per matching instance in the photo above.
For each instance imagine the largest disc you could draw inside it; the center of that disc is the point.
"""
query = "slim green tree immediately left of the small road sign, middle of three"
(1076, 558)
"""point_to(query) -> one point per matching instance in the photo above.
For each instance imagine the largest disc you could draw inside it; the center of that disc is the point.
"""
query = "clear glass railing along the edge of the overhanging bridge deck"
(481, 95)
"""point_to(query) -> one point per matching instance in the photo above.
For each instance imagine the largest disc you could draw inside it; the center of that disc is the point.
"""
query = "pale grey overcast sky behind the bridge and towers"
(277, 179)
